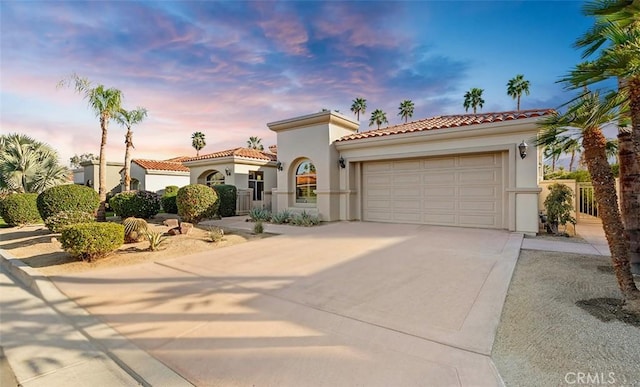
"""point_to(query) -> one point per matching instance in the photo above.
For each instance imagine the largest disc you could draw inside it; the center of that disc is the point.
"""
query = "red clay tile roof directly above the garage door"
(451, 121)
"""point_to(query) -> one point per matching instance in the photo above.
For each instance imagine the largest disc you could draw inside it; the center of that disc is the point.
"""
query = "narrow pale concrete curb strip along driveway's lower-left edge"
(144, 368)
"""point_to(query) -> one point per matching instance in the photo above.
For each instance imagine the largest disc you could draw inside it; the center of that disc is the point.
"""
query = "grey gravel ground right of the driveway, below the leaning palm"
(544, 339)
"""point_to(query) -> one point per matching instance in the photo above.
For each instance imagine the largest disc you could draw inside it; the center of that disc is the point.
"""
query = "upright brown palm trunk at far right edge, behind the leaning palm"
(629, 155)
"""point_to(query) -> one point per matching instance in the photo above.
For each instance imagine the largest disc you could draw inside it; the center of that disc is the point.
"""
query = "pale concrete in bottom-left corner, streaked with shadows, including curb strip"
(48, 340)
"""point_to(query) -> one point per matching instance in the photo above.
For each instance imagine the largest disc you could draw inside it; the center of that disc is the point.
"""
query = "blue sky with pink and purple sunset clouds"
(228, 68)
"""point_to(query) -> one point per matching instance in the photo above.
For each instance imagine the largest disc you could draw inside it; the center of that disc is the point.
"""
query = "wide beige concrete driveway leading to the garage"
(343, 304)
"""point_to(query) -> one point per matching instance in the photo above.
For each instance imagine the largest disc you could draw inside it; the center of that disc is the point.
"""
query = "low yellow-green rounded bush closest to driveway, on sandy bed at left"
(90, 241)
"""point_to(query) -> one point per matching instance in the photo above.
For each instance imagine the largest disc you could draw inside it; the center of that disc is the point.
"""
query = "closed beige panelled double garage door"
(454, 191)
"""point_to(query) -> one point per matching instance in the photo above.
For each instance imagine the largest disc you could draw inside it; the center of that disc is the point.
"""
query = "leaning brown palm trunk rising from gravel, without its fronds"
(604, 188)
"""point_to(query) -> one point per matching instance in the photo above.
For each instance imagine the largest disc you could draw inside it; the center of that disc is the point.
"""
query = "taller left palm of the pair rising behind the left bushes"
(105, 103)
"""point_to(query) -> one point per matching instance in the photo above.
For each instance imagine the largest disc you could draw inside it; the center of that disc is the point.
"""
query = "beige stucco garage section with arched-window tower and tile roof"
(456, 170)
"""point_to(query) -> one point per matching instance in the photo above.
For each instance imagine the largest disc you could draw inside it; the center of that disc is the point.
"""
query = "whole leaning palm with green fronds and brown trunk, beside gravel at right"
(586, 117)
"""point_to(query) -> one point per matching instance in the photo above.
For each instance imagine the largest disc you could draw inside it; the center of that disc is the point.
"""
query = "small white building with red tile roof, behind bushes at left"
(156, 175)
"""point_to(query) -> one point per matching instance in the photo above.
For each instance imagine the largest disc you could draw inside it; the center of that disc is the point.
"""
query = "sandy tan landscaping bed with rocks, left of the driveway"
(39, 248)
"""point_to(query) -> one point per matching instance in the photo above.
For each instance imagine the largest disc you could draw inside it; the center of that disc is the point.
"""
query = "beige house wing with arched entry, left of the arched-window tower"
(242, 167)
